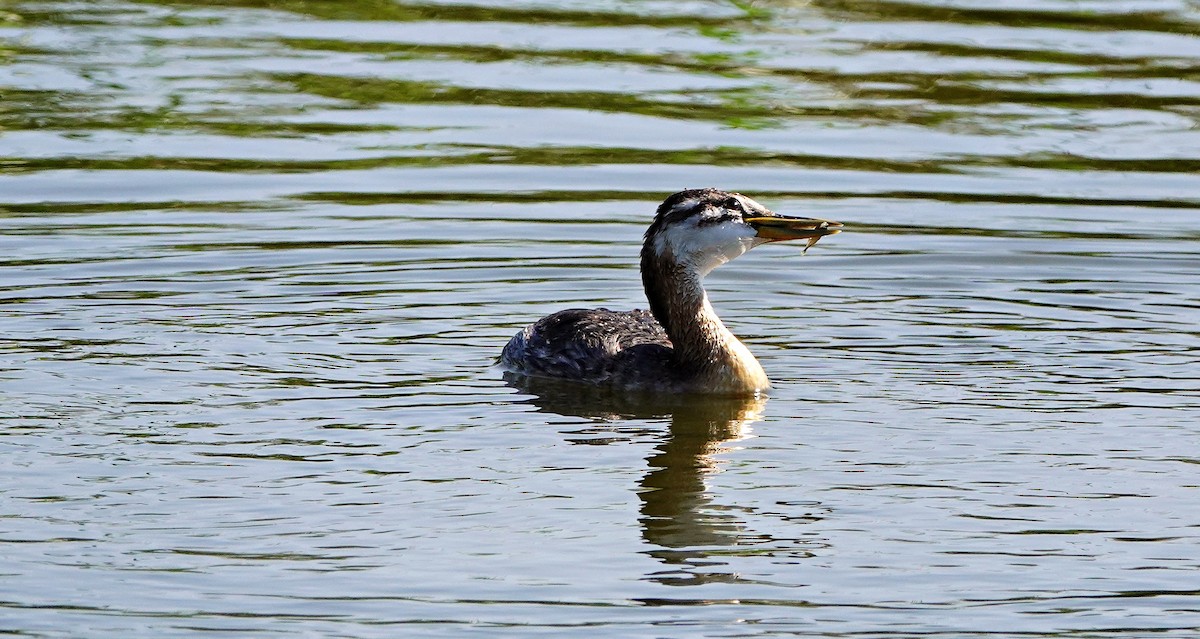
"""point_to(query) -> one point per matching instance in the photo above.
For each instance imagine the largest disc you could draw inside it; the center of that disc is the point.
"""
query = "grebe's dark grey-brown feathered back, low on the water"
(591, 345)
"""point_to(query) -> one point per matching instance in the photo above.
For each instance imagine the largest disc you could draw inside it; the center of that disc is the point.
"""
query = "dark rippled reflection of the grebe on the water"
(677, 516)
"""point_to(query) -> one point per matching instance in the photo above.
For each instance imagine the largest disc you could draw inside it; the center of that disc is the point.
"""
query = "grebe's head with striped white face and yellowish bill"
(704, 229)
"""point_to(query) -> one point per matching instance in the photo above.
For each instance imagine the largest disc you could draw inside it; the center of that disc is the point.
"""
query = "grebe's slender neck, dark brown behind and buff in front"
(705, 350)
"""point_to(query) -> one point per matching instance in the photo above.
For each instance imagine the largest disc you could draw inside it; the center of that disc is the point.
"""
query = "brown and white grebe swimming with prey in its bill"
(680, 347)
